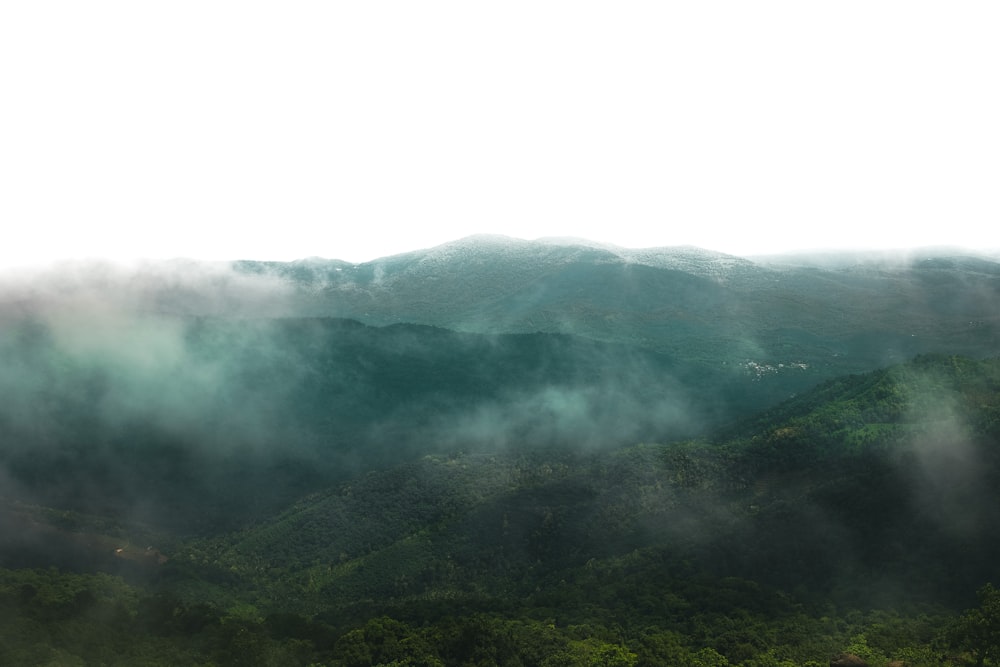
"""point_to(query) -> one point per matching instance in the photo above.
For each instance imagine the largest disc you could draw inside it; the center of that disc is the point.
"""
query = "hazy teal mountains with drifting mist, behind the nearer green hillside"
(120, 382)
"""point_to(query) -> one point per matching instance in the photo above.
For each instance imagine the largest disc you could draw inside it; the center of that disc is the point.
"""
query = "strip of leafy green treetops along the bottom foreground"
(57, 618)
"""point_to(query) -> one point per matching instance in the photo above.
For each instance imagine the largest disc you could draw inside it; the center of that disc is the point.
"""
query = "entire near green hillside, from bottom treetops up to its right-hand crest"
(858, 517)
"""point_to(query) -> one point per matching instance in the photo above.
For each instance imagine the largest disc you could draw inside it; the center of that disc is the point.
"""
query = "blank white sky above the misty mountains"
(278, 130)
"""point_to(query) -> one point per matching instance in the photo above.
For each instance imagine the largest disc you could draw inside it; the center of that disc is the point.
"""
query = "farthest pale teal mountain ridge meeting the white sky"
(850, 316)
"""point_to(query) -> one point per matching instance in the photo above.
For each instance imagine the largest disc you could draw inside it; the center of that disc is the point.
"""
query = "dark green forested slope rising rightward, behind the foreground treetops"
(898, 504)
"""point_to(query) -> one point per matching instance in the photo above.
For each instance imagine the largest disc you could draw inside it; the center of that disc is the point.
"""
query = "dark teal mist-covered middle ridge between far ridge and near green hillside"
(243, 414)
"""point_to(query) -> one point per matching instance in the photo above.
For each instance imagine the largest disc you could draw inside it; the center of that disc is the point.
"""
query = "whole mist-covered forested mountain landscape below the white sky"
(500, 452)
